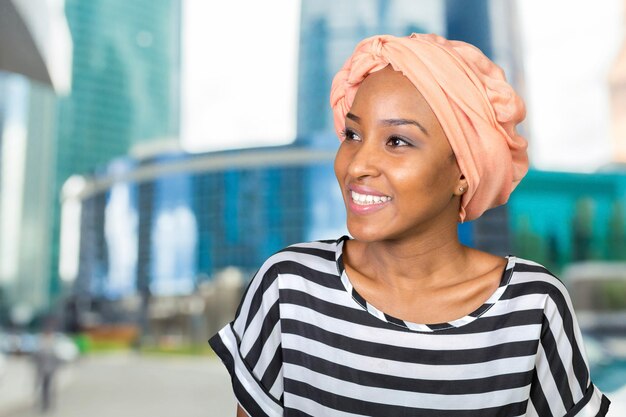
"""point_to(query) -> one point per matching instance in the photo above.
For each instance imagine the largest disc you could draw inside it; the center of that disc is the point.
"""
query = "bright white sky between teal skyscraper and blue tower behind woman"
(239, 73)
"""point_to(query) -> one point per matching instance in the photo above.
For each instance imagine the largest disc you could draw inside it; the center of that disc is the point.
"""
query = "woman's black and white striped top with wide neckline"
(305, 343)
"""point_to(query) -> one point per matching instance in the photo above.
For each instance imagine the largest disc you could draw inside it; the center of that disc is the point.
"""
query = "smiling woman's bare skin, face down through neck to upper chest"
(405, 258)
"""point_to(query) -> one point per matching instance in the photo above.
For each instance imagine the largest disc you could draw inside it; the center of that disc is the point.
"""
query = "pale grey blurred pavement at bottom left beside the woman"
(124, 385)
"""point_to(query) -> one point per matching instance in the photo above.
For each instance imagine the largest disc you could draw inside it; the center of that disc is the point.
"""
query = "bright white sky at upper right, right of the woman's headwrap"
(568, 49)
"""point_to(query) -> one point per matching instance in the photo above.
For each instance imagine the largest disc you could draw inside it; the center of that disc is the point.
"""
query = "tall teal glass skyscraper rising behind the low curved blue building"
(125, 91)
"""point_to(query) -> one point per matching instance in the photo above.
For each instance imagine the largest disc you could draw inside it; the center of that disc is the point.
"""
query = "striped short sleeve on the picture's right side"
(561, 383)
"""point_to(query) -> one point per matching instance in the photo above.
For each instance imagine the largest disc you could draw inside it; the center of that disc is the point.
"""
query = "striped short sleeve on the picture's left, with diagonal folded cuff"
(250, 347)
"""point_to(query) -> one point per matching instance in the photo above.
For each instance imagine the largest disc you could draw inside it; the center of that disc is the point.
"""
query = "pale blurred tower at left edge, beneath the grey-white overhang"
(27, 162)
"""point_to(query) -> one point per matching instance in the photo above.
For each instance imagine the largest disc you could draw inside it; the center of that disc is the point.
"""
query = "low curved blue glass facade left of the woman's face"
(165, 234)
